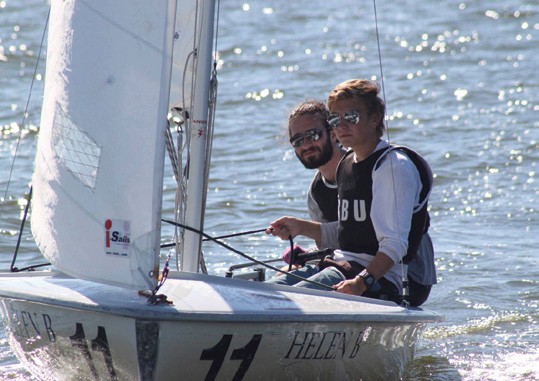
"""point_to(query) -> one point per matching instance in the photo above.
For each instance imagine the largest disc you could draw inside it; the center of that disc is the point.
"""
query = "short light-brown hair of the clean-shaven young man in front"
(364, 91)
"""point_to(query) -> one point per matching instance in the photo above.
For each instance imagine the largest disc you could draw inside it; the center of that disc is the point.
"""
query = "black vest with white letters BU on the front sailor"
(355, 231)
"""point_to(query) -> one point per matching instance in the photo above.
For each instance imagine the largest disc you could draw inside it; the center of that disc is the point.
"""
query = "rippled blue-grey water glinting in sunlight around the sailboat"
(462, 88)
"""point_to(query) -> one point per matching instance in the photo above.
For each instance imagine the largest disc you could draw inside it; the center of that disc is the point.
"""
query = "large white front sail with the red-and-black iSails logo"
(99, 168)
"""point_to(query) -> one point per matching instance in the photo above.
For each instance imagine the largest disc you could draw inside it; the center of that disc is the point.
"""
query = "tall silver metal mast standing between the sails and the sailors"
(199, 136)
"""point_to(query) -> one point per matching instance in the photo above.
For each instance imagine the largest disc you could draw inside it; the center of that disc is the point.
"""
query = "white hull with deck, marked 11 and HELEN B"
(217, 328)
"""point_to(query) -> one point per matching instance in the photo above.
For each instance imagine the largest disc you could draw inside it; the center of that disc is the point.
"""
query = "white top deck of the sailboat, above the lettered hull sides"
(206, 298)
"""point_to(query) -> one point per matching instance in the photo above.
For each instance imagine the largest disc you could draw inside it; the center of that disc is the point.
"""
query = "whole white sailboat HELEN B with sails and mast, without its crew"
(115, 70)
